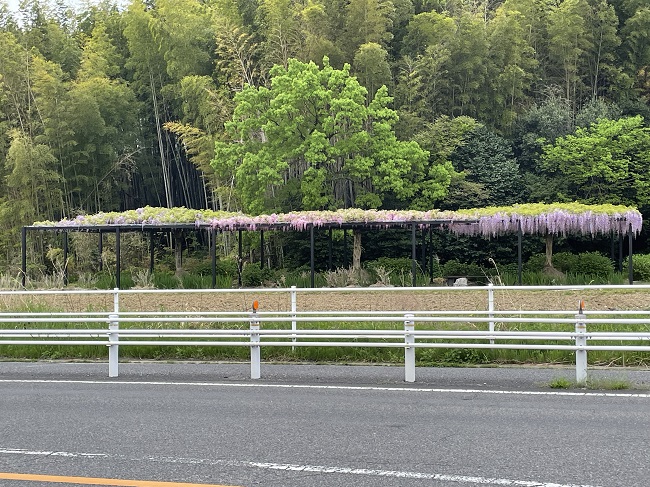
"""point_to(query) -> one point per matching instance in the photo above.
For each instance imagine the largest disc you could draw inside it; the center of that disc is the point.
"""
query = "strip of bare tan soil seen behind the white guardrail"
(370, 299)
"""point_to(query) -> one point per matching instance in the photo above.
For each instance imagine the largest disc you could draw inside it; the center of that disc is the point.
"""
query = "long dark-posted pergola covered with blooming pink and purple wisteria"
(556, 219)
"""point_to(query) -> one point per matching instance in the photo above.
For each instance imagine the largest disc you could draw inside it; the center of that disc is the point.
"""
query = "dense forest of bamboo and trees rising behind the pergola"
(106, 108)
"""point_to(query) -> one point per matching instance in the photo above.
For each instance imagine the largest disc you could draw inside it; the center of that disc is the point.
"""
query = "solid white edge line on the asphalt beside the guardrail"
(326, 387)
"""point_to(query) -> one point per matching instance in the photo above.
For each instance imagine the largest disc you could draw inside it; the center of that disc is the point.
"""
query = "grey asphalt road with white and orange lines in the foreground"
(330, 426)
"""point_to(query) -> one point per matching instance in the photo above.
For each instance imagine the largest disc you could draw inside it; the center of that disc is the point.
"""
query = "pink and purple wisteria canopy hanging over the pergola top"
(556, 219)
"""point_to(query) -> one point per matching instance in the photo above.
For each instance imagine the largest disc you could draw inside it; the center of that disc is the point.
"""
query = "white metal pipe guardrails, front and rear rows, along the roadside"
(255, 336)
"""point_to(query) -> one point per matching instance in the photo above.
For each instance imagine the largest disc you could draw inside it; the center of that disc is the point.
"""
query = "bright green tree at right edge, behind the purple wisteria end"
(606, 162)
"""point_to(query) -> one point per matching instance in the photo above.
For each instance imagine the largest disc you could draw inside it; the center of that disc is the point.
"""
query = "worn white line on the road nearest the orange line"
(461, 479)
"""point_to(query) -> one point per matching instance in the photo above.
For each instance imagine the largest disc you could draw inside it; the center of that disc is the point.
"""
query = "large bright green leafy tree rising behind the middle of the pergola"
(312, 136)
